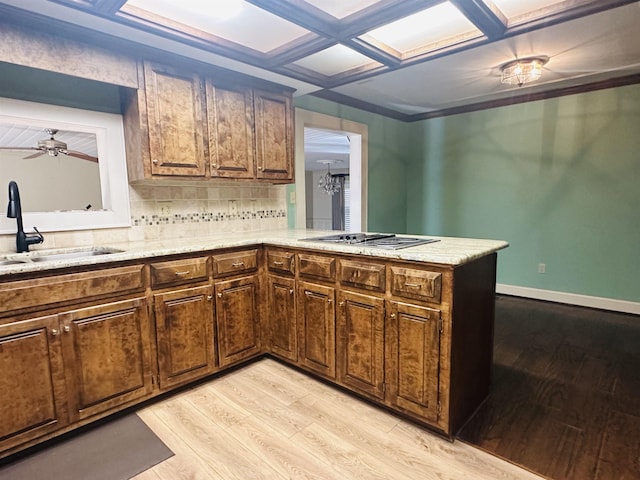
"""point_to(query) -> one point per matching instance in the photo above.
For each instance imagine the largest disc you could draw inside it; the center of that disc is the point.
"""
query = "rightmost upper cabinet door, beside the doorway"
(274, 135)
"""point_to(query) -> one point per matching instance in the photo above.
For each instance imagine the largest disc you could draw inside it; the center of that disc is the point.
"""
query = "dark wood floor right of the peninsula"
(565, 399)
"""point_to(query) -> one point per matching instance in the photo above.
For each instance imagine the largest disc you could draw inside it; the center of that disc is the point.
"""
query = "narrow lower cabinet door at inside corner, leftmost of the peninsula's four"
(282, 317)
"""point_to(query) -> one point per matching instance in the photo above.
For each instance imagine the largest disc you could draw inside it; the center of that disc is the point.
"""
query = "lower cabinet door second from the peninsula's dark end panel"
(360, 343)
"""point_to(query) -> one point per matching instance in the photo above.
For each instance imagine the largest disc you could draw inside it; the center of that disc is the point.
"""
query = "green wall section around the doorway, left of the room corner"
(388, 161)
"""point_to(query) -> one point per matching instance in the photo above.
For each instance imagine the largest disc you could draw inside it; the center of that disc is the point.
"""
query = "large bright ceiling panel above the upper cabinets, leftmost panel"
(238, 21)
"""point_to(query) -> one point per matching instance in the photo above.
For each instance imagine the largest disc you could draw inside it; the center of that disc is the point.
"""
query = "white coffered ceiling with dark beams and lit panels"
(343, 50)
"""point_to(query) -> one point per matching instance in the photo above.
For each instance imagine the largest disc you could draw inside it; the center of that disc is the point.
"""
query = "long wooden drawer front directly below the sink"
(74, 286)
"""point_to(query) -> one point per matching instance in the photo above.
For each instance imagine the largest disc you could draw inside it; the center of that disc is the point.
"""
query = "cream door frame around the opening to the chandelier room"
(358, 134)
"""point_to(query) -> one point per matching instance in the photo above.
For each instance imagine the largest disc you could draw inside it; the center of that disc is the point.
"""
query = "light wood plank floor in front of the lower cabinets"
(268, 421)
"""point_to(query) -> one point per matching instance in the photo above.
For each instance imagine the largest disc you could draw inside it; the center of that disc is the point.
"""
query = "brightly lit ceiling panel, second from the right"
(432, 28)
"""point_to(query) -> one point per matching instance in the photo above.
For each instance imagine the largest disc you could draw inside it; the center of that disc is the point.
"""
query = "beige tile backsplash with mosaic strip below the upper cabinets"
(163, 211)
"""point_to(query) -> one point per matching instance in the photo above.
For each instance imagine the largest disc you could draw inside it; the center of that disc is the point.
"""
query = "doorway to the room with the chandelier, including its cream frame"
(337, 146)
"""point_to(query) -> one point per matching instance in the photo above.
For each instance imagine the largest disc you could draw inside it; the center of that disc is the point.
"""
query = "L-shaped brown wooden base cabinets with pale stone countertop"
(83, 337)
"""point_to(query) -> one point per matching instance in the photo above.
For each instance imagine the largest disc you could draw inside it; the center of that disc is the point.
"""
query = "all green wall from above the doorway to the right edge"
(559, 179)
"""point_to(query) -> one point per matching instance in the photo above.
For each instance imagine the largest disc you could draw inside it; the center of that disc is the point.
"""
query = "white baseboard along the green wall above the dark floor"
(571, 298)
